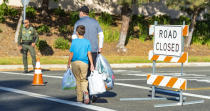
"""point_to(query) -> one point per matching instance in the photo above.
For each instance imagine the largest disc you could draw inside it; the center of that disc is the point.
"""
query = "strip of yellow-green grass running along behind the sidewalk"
(111, 59)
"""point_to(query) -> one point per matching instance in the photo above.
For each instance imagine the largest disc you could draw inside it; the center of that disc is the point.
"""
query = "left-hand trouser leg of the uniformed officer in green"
(25, 61)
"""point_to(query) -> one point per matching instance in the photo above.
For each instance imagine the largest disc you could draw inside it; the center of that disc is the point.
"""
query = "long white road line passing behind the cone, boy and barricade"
(123, 84)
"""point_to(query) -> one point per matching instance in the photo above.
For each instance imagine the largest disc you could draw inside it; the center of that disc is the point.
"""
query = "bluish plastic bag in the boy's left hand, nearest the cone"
(69, 81)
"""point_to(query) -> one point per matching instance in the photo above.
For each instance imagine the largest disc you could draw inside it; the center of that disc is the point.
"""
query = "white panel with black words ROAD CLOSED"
(168, 40)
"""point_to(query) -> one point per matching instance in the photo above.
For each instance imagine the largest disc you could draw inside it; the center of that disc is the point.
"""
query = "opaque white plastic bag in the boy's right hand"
(96, 83)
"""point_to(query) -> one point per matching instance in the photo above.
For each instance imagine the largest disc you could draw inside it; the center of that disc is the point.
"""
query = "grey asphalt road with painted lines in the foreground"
(17, 94)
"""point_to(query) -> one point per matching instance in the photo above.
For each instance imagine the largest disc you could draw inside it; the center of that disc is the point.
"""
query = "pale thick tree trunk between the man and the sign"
(126, 12)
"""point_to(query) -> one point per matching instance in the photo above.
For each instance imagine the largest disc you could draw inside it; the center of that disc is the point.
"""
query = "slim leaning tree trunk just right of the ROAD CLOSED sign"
(192, 27)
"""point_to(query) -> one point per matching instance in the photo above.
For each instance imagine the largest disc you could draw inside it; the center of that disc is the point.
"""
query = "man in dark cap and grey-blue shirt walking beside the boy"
(93, 33)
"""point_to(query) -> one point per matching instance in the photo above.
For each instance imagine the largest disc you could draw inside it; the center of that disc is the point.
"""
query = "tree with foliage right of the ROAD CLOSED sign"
(192, 8)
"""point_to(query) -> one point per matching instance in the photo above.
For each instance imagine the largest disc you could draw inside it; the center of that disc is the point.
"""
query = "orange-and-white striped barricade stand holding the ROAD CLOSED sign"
(167, 82)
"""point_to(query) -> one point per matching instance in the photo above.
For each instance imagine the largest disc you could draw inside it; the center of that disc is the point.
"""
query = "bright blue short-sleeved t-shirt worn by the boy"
(80, 49)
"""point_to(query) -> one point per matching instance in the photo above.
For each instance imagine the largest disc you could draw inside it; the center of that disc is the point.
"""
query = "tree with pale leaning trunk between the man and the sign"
(126, 12)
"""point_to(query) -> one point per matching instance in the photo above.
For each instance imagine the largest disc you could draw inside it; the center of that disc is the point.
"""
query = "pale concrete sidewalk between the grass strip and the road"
(125, 65)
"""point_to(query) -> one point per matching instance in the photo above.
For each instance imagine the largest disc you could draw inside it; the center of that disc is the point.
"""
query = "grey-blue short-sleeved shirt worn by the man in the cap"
(92, 28)
